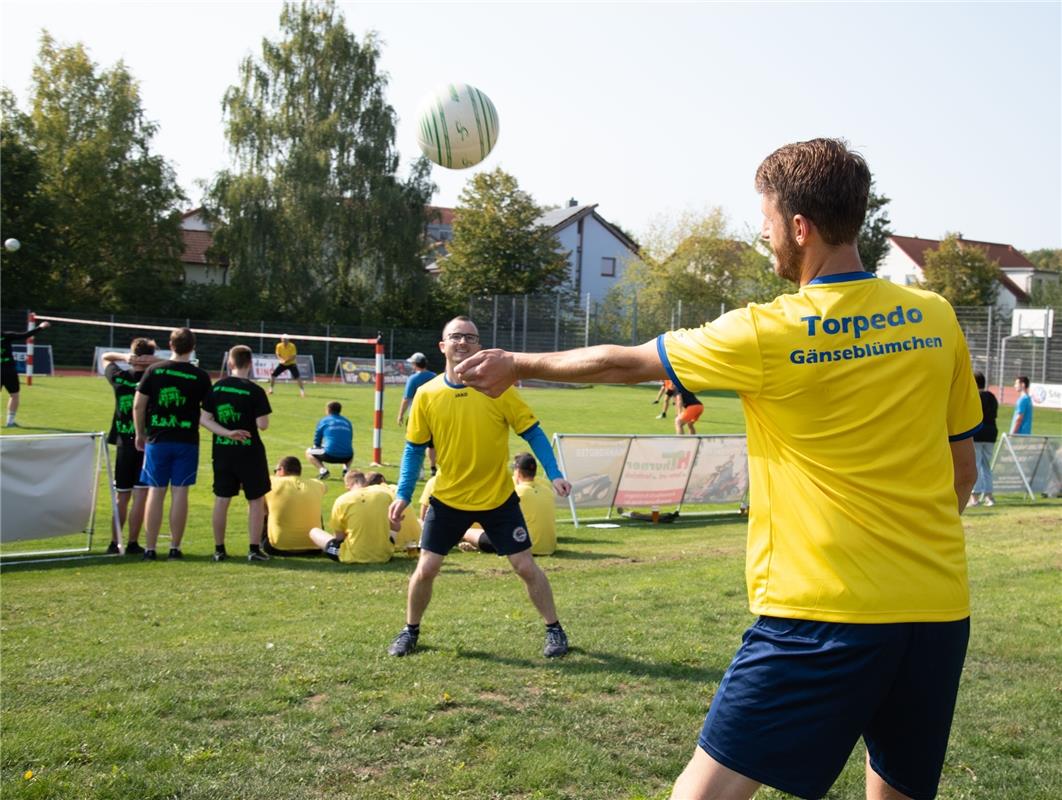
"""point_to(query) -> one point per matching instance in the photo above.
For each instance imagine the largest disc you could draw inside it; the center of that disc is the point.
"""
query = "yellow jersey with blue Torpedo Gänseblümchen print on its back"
(852, 389)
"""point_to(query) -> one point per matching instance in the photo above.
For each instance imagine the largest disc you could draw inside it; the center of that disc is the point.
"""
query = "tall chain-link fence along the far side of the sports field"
(528, 324)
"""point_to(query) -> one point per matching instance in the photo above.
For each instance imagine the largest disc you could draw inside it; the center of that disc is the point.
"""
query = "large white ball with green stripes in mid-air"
(457, 127)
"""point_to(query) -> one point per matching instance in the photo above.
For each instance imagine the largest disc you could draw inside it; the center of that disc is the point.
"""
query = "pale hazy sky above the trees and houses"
(652, 111)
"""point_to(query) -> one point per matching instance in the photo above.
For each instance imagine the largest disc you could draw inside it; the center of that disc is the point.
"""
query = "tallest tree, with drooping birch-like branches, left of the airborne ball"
(313, 218)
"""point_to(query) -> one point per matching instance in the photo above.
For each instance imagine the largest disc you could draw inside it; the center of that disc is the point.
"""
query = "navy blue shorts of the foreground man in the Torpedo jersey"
(800, 694)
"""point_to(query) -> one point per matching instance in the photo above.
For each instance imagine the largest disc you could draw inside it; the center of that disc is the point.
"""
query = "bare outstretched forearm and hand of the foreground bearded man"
(493, 371)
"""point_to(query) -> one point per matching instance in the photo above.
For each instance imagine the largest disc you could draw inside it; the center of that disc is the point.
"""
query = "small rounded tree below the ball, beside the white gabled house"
(499, 247)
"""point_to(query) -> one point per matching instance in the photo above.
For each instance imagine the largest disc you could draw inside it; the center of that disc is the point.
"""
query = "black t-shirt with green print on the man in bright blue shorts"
(176, 392)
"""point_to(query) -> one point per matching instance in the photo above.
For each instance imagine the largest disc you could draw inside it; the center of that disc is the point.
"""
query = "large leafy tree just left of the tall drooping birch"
(110, 226)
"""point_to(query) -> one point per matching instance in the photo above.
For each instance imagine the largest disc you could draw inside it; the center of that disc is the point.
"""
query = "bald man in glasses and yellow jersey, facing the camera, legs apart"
(471, 435)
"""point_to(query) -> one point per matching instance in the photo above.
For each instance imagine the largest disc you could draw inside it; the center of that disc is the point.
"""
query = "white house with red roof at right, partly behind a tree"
(905, 261)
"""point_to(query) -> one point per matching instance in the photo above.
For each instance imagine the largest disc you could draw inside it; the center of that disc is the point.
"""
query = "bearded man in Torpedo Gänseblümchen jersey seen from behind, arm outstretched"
(860, 406)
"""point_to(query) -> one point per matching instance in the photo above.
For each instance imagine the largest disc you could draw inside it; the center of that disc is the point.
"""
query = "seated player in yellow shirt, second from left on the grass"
(362, 533)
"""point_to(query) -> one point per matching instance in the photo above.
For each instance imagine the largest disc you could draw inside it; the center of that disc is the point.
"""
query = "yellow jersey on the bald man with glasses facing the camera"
(470, 433)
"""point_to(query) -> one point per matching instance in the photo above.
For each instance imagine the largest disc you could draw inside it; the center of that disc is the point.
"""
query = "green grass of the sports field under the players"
(192, 679)
